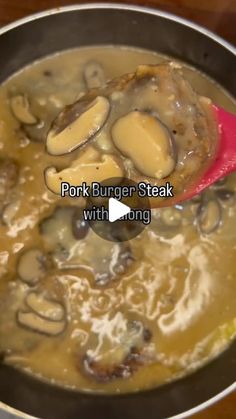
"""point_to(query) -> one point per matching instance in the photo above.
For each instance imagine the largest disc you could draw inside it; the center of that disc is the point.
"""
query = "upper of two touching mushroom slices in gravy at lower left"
(48, 309)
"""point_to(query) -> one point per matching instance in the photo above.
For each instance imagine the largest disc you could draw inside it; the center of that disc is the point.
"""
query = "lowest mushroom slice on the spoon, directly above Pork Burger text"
(88, 172)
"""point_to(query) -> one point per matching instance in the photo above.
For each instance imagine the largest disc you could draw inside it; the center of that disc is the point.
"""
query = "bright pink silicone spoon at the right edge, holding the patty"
(225, 160)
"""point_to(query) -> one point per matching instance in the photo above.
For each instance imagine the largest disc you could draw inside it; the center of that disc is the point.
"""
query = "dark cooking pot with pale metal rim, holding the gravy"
(45, 33)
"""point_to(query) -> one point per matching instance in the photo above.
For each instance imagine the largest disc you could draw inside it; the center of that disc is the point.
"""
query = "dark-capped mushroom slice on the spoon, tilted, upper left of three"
(76, 125)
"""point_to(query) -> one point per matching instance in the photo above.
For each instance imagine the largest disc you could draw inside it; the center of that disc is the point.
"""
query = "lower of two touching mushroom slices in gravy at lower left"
(38, 324)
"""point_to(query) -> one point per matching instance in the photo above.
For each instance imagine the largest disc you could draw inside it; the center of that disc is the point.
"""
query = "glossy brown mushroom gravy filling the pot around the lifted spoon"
(77, 310)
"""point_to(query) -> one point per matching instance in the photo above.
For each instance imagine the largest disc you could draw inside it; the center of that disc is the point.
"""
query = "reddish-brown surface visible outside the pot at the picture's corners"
(217, 15)
